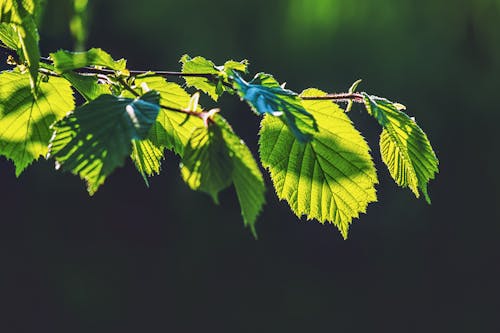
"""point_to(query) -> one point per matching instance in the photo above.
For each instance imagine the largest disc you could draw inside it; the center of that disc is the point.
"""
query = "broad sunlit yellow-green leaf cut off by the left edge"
(25, 120)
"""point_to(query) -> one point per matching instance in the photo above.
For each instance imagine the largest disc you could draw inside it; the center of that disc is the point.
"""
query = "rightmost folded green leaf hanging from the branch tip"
(404, 147)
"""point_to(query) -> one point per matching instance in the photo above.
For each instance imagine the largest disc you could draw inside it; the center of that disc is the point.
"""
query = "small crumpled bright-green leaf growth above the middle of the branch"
(219, 82)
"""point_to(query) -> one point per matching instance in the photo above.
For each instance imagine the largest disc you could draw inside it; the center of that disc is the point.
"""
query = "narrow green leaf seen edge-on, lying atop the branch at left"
(65, 61)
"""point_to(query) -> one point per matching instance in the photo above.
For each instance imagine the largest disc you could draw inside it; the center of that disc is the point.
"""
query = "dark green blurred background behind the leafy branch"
(133, 259)
